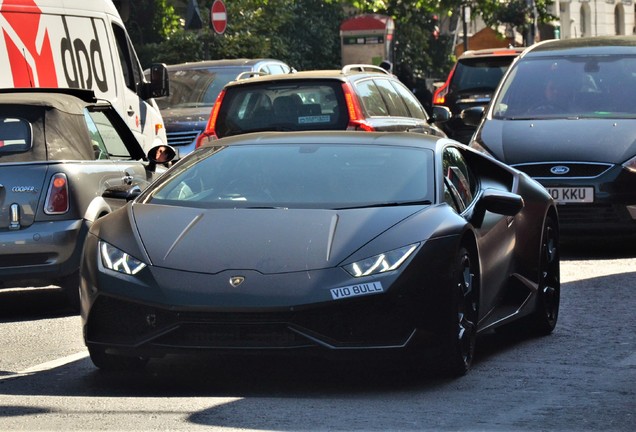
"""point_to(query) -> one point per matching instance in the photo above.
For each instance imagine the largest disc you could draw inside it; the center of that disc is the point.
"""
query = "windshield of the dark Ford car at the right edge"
(576, 86)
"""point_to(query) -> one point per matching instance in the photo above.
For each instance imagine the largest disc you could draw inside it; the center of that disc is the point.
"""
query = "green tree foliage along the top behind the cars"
(305, 33)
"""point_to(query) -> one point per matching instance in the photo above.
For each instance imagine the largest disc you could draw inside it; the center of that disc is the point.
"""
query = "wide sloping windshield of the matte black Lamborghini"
(299, 176)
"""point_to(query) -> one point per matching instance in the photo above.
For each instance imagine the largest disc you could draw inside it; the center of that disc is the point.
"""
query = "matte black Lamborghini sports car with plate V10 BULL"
(322, 243)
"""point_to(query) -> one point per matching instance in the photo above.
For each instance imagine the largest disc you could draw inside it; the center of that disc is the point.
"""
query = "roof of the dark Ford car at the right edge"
(583, 46)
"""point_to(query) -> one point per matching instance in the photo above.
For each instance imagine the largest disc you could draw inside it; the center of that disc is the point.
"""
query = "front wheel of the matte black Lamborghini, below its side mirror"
(462, 328)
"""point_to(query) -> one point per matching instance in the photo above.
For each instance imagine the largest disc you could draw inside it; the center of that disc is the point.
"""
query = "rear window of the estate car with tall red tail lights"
(282, 106)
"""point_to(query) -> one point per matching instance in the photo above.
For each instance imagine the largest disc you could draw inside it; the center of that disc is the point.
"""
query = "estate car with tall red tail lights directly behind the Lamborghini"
(358, 97)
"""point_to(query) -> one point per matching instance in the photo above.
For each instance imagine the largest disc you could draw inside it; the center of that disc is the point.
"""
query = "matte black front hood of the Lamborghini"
(265, 240)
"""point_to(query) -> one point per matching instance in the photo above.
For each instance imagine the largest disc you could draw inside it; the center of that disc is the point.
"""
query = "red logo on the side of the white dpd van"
(30, 54)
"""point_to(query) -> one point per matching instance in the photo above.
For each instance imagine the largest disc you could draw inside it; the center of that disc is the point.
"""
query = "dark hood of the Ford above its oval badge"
(593, 140)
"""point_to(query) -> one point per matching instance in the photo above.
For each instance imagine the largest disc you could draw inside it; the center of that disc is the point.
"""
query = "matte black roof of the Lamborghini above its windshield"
(409, 139)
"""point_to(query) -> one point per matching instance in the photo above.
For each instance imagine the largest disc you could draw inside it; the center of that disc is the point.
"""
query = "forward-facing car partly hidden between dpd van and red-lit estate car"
(194, 86)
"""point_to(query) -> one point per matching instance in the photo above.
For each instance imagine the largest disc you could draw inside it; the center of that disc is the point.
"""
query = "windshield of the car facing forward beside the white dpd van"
(193, 88)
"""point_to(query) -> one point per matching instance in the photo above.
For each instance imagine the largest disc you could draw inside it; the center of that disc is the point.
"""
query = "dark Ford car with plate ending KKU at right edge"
(566, 115)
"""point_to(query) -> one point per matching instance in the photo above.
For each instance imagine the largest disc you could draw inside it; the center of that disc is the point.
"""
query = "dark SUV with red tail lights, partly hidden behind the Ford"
(471, 82)
